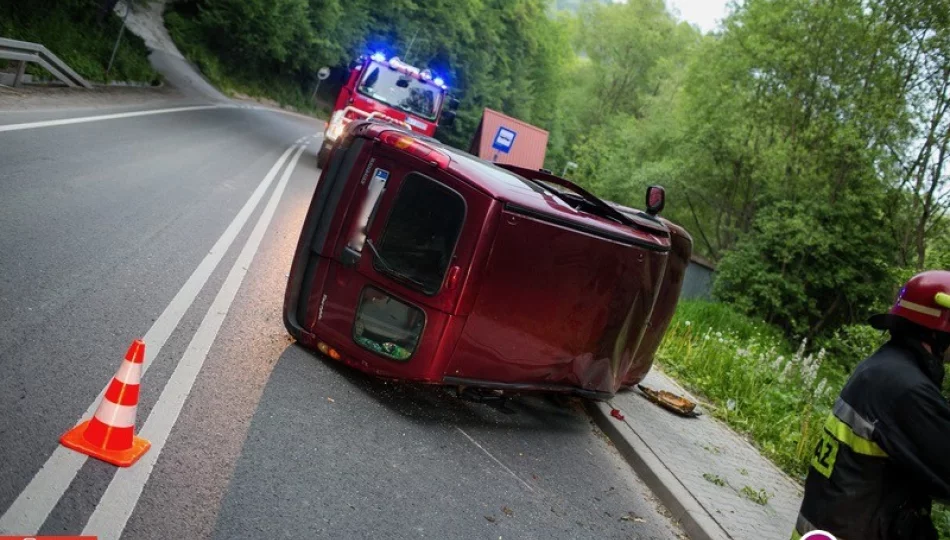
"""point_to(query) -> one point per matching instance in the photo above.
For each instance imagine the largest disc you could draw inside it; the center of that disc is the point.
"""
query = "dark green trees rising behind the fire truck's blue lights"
(506, 55)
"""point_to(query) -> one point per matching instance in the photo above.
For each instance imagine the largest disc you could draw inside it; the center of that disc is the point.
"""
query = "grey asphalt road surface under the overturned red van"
(143, 226)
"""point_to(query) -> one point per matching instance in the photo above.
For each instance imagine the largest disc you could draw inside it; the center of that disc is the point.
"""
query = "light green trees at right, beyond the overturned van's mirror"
(803, 146)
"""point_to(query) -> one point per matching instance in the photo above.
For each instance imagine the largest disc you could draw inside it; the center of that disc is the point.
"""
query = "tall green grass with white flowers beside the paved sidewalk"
(760, 384)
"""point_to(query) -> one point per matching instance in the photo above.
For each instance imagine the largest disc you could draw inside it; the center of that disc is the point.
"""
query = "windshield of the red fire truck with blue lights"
(404, 92)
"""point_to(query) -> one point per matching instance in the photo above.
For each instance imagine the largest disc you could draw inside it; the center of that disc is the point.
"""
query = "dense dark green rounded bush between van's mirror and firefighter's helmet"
(809, 268)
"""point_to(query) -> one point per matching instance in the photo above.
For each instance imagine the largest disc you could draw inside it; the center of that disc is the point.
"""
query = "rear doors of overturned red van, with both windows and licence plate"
(392, 279)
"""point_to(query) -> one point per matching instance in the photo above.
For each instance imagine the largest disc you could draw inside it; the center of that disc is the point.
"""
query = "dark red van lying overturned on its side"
(420, 262)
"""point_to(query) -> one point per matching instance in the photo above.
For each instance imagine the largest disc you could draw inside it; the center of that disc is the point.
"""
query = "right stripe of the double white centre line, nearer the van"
(119, 501)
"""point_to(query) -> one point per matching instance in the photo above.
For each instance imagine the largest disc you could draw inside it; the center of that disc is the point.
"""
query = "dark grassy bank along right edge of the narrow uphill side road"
(283, 92)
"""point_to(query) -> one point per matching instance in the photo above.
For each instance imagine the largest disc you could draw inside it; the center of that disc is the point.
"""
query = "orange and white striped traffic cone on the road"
(110, 434)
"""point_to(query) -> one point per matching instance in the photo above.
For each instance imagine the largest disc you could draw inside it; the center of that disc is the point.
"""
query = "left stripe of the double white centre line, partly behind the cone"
(34, 504)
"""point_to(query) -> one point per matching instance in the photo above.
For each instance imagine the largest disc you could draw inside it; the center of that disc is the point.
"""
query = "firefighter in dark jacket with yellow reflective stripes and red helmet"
(884, 453)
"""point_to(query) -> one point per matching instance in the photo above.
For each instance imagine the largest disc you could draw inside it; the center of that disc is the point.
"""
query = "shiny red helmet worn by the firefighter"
(924, 300)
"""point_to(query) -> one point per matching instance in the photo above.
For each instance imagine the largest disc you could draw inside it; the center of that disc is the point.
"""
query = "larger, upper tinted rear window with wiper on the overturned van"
(420, 235)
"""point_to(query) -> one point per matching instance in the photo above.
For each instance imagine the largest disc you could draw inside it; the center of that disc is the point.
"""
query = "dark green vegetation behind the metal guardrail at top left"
(81, 34)
